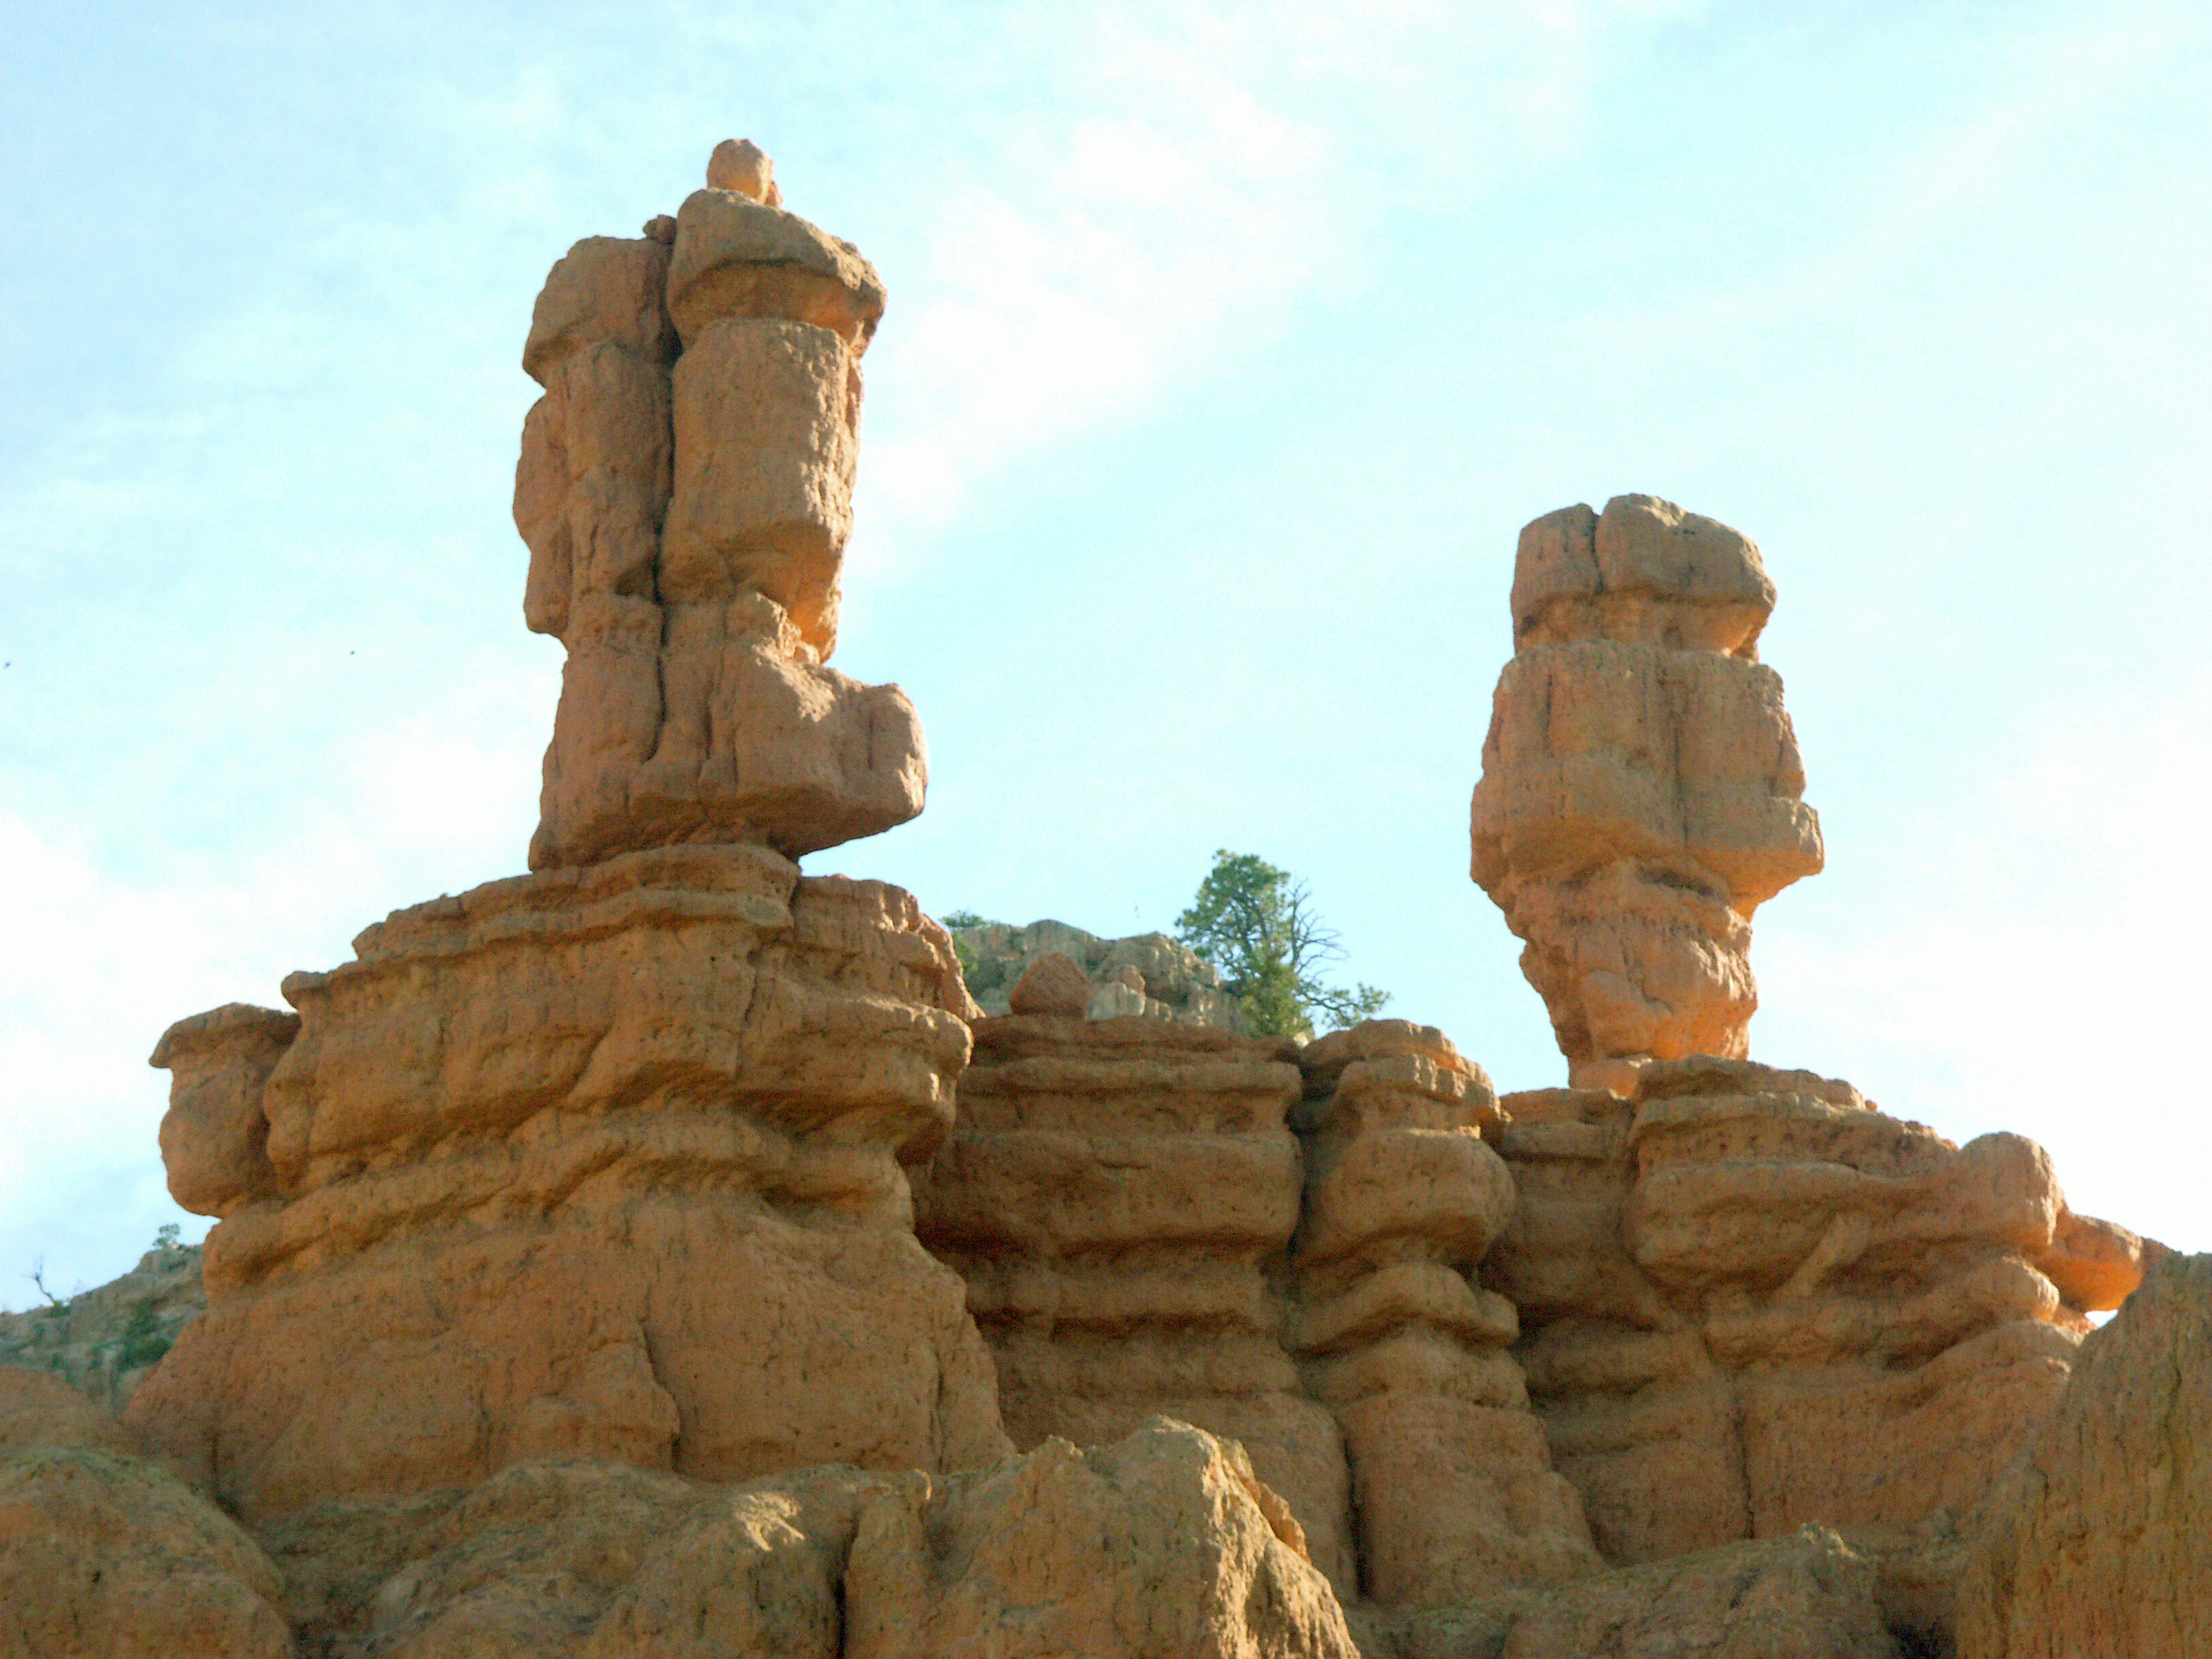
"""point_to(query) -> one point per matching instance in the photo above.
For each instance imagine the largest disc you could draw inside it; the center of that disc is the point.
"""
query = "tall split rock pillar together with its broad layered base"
(605, 1162)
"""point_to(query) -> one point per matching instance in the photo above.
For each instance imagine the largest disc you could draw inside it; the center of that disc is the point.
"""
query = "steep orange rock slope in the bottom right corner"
(2098, 1541)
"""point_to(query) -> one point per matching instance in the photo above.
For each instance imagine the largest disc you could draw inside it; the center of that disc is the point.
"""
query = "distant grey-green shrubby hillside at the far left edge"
(105, 1342)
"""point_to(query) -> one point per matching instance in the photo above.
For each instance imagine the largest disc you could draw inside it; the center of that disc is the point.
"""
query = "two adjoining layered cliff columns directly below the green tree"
(1145, 1231)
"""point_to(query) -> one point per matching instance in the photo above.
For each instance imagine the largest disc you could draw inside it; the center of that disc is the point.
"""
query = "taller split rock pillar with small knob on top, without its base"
(687, 497)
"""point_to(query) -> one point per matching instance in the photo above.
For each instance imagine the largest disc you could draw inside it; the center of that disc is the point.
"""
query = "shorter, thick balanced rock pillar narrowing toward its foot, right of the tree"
(1640, 784)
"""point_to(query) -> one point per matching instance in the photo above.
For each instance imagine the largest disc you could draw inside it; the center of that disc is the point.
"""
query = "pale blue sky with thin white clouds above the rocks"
(1229, 348)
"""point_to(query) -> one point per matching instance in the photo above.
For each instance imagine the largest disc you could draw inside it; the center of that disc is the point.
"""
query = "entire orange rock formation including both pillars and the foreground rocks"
(570, 1293)
